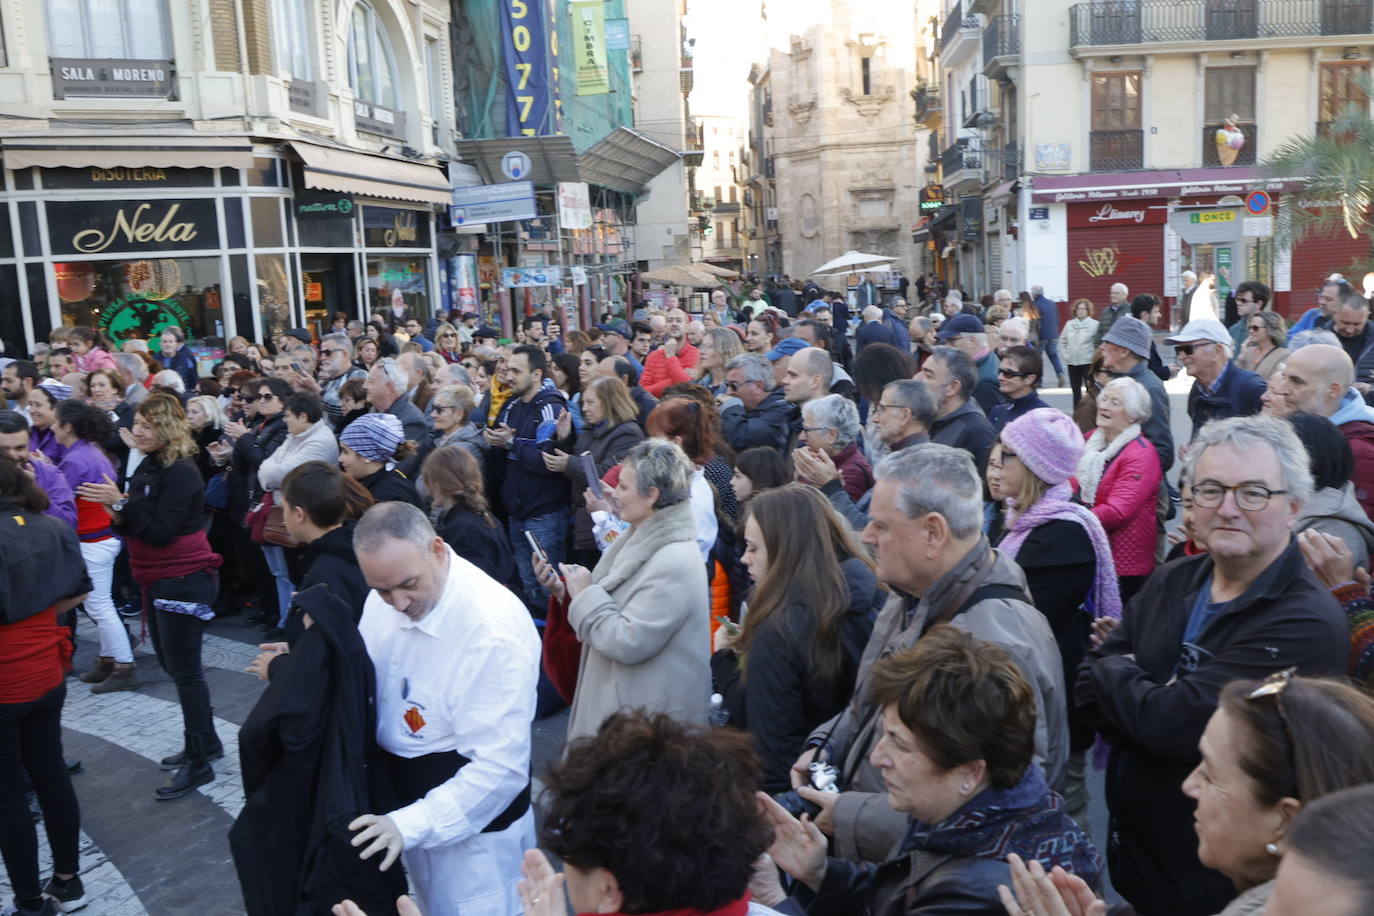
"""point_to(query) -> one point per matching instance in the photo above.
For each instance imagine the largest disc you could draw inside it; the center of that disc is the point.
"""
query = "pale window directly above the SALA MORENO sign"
(109, 30)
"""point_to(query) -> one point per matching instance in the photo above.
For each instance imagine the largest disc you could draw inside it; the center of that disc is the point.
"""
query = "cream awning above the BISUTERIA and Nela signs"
(128, 153)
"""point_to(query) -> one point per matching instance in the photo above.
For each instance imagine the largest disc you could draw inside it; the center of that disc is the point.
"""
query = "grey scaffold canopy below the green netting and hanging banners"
(624, 160)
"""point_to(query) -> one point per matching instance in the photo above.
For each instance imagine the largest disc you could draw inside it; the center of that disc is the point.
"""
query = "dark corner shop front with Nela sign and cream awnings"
(240, 241)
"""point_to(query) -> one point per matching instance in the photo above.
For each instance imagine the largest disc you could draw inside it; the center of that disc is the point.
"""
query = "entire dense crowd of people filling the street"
(844, 617)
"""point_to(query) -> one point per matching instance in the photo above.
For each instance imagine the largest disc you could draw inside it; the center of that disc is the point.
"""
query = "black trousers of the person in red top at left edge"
(31, 744)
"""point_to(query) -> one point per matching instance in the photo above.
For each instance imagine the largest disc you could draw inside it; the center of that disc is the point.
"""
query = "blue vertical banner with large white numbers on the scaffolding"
(526, 47)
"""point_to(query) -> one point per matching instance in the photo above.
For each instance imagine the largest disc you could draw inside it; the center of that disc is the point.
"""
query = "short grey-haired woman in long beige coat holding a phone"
(642, 615)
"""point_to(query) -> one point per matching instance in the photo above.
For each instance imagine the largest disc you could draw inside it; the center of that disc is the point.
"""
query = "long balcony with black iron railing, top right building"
(1116, 23)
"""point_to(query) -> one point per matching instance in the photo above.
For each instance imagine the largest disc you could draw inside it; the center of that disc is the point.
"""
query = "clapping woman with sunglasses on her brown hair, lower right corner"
(1272, 749)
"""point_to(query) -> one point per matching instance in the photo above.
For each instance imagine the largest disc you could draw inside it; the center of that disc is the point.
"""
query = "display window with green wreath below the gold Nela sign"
(141, 297)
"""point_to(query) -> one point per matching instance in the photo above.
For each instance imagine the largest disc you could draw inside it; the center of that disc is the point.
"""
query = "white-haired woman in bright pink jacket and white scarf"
(1119, 477)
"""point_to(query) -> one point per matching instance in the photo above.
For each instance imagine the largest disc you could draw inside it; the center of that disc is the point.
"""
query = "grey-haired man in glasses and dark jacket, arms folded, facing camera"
(1246, 609)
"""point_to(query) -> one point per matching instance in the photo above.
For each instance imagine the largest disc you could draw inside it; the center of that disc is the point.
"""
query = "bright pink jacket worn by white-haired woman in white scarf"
(1126, 506)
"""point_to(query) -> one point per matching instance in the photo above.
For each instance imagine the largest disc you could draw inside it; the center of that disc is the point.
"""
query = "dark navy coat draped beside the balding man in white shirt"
(306, 751)
